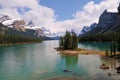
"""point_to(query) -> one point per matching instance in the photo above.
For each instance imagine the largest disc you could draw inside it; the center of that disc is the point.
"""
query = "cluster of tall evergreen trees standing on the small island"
(69, 41)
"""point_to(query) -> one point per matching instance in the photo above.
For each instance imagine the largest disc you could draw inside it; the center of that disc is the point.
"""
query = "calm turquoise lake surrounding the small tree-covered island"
(41, 61)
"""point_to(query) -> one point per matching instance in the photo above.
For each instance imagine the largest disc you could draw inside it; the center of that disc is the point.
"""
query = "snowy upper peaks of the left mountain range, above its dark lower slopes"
(30, 28)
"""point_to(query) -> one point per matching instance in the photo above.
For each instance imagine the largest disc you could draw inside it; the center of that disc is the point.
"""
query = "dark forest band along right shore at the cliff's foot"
(100, 37)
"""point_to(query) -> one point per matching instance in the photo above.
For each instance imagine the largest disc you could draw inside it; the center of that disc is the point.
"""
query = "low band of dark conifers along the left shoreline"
(14, 39)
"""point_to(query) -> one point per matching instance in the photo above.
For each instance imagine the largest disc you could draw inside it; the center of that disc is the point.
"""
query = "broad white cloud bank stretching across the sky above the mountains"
(44, 16)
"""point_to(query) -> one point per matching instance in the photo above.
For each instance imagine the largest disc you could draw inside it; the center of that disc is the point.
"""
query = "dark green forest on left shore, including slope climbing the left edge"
(7, 38)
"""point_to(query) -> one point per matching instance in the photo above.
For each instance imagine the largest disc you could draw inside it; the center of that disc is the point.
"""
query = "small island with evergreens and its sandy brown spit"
(68, 45)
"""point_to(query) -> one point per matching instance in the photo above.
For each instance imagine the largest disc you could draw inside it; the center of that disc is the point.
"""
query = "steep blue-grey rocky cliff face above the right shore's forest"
(108, 22)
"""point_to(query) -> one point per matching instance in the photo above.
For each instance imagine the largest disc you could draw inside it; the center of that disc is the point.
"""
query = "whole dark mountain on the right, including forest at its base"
(107, 29)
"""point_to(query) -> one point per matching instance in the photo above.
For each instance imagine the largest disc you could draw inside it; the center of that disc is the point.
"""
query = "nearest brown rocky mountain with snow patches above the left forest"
(17, 26)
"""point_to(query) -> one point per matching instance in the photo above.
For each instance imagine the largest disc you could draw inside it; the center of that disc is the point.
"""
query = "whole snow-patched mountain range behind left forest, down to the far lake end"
(18, 26)
